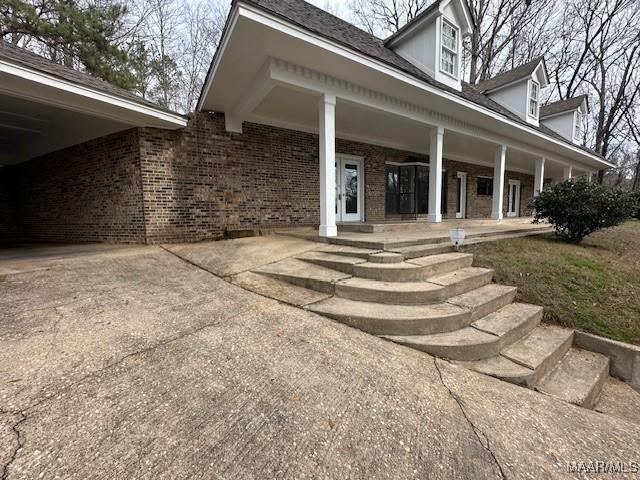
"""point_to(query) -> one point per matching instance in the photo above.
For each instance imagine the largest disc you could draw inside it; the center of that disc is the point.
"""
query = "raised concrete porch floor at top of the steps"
(393, 235)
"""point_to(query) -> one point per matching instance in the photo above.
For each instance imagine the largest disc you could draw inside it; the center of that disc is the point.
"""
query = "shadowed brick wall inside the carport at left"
(90, 192)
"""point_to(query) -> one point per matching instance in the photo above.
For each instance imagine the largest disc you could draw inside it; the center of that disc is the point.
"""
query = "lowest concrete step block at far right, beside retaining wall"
(578, 378)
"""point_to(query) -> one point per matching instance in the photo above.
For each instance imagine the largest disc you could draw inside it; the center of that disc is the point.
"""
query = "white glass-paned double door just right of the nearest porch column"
(349, 189)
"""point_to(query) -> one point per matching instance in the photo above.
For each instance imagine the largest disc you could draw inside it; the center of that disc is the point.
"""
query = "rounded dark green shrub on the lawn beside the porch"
(579, 208)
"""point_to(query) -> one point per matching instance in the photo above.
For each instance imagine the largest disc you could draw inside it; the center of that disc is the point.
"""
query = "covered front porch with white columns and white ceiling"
(390, 146)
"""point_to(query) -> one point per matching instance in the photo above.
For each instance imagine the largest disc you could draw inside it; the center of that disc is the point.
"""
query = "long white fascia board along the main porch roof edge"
(272, 21)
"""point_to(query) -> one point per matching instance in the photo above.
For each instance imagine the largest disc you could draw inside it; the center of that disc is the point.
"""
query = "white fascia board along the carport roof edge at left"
(51, 81)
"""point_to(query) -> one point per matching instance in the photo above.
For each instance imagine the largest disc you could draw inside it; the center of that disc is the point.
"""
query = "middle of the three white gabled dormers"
(518, 89)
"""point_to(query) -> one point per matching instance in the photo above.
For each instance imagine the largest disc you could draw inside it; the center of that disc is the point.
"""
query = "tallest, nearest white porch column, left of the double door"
(327, 133)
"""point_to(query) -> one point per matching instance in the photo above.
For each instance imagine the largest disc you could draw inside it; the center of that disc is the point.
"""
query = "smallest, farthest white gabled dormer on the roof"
(566, 117)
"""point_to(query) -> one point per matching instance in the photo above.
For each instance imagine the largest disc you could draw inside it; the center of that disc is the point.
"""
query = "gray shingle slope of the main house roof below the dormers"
(333, 28)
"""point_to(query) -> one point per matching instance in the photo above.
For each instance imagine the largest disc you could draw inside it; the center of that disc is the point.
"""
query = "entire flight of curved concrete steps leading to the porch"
(442, 305)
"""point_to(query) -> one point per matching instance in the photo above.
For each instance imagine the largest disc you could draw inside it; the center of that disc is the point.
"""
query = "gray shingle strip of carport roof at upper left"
(26, 58)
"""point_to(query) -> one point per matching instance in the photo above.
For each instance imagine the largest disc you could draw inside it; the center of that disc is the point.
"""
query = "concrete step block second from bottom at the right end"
(541, 350)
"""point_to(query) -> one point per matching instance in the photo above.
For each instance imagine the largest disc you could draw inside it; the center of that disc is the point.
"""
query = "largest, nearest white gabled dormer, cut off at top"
(432, 41)
